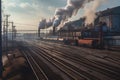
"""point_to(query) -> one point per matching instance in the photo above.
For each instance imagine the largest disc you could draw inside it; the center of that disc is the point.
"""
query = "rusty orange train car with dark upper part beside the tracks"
(89, 38)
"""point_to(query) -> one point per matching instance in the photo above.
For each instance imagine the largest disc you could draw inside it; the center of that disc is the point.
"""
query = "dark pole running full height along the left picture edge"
(1, 65)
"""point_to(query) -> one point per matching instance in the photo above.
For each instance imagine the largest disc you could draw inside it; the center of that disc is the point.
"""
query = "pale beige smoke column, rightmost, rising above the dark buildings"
(90, 11)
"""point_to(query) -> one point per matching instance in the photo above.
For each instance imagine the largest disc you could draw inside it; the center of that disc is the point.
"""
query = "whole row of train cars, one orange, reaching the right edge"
(91, 38)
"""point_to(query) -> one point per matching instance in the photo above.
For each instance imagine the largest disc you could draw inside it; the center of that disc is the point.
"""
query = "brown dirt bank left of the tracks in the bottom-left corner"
(16, 67)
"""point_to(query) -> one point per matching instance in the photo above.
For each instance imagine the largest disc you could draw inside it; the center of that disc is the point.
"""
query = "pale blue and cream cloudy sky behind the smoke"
(31, 11)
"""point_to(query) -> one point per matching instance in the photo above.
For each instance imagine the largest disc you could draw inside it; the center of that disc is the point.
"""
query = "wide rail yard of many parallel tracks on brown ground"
(54, 61)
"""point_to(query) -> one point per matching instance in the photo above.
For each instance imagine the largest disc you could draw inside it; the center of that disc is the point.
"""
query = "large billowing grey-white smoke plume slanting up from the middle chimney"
(72, 7)
